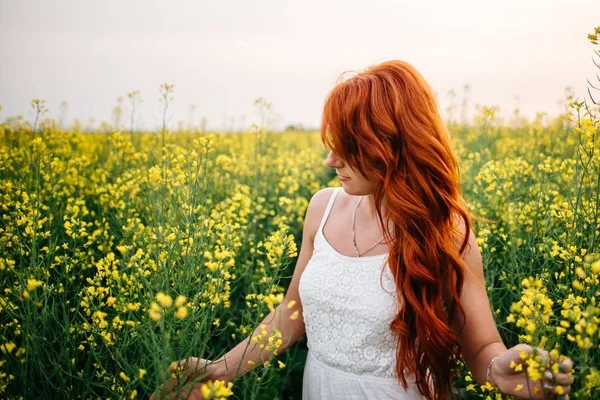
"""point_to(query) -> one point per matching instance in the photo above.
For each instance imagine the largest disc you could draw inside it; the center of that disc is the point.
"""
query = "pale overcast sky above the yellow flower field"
(222, 55)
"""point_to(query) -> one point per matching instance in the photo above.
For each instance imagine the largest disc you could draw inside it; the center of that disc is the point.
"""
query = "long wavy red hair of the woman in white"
(385, 123)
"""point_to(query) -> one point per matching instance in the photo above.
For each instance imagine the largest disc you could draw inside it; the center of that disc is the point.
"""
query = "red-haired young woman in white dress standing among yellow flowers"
(389, 282)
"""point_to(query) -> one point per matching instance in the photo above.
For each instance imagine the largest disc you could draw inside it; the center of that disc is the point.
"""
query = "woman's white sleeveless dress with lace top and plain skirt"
(347, 313)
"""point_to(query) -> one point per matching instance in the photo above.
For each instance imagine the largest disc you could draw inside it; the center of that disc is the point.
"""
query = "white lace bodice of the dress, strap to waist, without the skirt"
(347, 310)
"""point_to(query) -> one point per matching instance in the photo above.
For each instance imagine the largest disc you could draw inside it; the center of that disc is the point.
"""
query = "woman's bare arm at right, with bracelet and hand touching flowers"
(480, 341)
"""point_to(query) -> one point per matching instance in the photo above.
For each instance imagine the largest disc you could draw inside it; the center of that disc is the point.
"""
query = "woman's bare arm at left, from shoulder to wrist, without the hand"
(286, 317)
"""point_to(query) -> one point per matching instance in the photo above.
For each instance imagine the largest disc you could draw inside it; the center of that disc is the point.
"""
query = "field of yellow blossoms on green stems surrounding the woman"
(122, 252)
